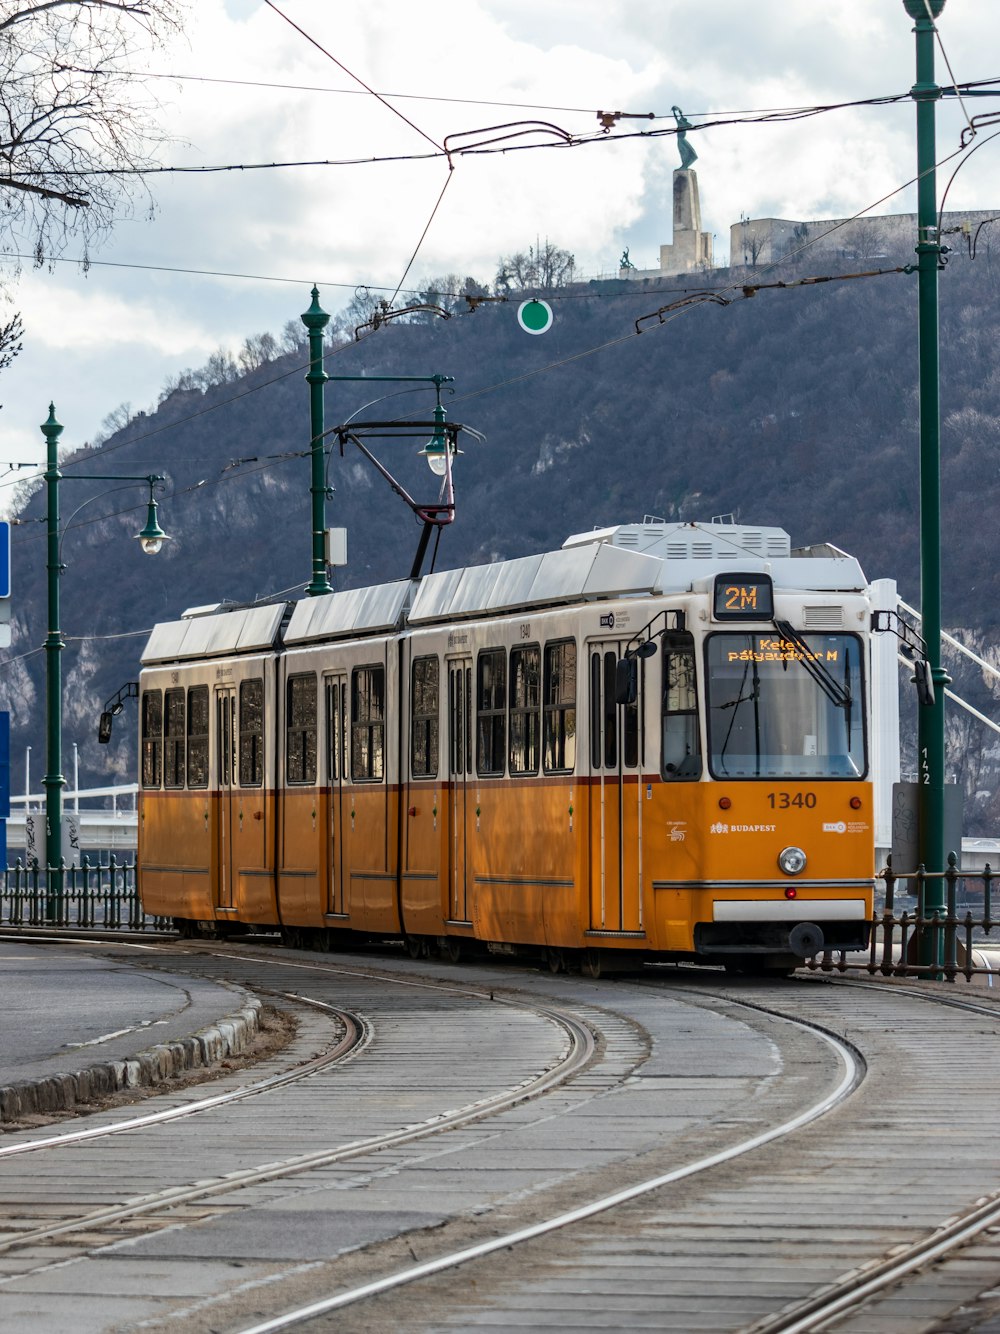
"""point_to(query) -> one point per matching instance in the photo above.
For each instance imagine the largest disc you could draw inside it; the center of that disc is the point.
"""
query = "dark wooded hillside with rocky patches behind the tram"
(797, 408)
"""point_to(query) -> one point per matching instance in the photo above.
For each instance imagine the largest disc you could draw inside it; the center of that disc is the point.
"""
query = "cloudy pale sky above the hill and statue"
(115, 334)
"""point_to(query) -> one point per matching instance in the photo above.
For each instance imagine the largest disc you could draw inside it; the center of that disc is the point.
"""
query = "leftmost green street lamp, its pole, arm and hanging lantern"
(151, 541)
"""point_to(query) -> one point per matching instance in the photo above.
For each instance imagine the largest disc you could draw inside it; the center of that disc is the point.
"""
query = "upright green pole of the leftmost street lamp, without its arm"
(54, 782)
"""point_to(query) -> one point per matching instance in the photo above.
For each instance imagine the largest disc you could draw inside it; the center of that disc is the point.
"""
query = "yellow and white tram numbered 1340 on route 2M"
(649, 745)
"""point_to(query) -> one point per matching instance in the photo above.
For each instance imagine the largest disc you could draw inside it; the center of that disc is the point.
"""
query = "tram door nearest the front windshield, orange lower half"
(615, 796)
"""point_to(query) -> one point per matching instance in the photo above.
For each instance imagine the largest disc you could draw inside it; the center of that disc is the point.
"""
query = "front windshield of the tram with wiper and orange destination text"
(773, 717)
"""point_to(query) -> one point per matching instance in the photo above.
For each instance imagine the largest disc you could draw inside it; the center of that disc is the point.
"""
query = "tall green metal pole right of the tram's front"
(930, 258)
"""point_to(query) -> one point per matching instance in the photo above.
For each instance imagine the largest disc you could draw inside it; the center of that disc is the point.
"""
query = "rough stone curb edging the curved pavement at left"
(229, 1037)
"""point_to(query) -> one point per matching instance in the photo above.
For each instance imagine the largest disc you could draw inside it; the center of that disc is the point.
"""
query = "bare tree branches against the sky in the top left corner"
(77, 130)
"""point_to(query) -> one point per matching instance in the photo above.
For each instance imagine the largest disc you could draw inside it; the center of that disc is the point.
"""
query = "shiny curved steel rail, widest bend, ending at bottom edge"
(853, 1075)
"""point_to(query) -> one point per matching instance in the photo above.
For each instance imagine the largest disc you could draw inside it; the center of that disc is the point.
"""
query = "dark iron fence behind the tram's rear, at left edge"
(90, 897)
